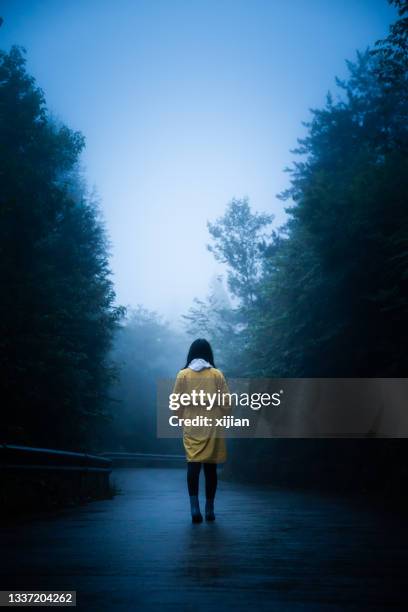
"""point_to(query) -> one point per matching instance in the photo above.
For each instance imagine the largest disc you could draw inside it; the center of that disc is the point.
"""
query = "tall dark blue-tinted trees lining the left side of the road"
(57, 312)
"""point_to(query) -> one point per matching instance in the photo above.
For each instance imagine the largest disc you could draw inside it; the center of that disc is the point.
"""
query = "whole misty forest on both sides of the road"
(324, 295)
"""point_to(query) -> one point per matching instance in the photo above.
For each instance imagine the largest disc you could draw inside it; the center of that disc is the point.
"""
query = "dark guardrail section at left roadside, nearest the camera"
(43, 478)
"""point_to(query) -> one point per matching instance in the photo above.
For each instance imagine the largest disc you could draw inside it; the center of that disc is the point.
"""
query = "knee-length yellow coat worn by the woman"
(204, 444)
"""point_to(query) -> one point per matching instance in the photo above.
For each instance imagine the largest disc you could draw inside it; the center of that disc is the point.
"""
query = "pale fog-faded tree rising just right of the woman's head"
(238, 240)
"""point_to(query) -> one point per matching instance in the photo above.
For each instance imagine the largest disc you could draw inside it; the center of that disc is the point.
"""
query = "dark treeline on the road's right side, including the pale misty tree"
(326, 295)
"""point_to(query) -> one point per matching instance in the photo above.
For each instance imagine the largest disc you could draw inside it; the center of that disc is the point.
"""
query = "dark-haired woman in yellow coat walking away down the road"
(204, 445)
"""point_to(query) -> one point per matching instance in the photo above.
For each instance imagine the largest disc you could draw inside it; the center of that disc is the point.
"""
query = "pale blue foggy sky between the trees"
(184, 105)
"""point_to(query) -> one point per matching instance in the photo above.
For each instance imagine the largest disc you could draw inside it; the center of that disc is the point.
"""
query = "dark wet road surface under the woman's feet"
(269, 549)
